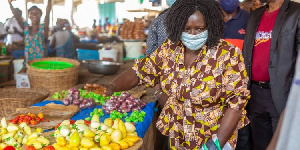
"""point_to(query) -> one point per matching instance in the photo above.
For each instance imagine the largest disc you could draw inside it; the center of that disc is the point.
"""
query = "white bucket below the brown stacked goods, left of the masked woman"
(133, 49)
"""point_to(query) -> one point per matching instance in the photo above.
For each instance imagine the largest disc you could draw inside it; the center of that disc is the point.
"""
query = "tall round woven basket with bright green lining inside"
(53, 80)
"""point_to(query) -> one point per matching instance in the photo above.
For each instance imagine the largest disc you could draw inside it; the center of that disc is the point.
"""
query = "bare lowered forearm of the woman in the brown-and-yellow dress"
(228, 125)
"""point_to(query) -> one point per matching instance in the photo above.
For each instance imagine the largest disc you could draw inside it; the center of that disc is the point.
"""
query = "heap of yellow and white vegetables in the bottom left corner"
(18, 135)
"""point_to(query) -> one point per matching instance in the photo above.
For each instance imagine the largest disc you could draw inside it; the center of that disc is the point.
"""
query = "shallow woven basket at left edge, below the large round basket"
(12, 98)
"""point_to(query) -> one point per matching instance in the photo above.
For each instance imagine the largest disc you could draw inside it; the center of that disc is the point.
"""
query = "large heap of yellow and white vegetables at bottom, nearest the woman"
(110, 135)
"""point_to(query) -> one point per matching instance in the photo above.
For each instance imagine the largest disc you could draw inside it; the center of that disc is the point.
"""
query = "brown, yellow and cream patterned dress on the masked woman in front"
(199, 95)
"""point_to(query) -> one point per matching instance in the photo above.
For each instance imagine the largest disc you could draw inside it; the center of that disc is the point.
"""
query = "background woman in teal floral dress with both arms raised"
(35, 35)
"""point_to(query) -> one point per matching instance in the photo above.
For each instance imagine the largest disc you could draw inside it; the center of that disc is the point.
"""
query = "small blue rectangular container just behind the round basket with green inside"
(85, 54)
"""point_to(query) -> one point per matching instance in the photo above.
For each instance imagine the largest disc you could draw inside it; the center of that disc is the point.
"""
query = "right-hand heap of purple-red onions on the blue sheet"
(123, 103)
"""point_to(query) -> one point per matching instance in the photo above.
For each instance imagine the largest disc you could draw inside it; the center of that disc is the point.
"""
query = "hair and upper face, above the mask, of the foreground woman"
(194, 17)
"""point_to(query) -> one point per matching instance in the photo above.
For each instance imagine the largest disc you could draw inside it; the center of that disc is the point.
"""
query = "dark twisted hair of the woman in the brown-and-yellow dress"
(181, 10)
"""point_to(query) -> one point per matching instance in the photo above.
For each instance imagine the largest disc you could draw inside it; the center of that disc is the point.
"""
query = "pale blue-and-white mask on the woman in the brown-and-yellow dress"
(194, 42)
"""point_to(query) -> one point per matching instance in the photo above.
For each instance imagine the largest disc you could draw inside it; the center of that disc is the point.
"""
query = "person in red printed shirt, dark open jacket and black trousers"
(270, 49)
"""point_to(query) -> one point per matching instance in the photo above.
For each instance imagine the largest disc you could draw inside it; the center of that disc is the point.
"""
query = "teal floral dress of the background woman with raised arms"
(35, 47)
